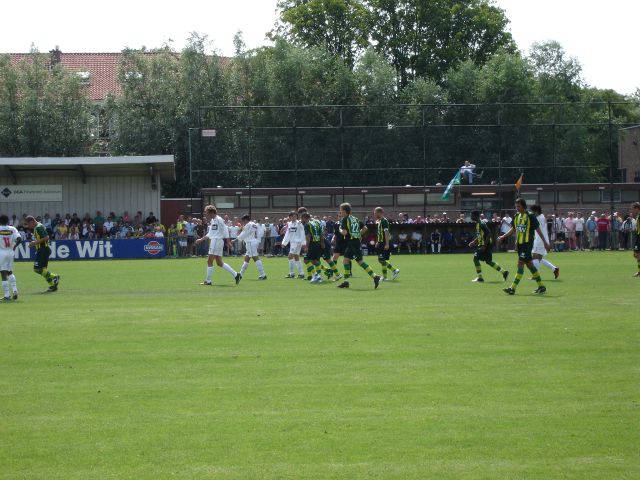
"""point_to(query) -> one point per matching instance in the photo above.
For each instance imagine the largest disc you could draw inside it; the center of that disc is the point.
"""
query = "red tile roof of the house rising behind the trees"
(102, 67)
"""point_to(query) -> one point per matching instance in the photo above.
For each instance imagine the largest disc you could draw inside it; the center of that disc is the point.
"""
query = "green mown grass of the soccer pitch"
(134, 371)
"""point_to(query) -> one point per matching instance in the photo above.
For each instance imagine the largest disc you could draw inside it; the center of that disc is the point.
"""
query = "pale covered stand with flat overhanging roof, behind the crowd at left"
(83, 184)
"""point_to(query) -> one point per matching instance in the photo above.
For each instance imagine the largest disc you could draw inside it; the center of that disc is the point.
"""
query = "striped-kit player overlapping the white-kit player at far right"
(525, 225)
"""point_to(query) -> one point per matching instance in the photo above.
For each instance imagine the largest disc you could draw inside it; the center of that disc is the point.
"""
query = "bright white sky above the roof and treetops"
(599, 34)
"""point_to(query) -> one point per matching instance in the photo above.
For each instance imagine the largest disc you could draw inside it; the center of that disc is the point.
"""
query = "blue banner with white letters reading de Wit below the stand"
(98, 249)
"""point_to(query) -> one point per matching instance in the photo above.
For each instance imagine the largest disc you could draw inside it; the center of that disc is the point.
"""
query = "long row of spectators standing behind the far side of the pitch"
(567, 232)
